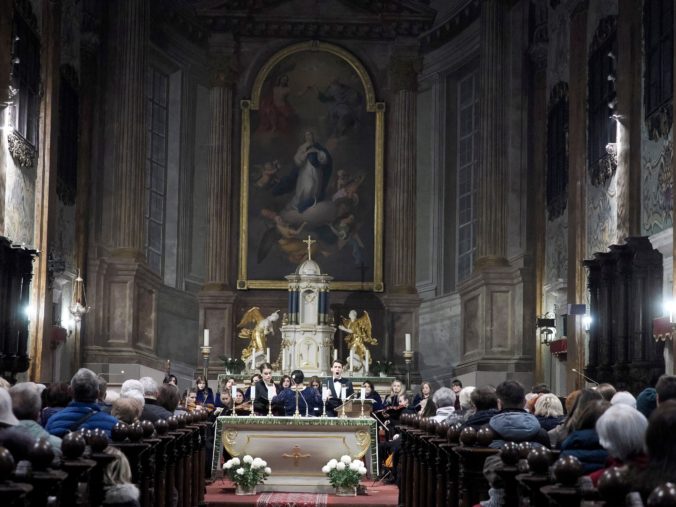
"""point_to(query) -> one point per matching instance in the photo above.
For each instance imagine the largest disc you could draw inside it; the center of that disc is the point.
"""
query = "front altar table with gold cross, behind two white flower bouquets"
(296, 449)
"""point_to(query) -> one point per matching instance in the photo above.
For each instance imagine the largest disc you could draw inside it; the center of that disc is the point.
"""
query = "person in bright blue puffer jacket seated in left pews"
(83, 411)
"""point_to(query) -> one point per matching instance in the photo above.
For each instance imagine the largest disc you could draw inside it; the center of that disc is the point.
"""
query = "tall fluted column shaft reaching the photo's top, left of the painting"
(130, 37)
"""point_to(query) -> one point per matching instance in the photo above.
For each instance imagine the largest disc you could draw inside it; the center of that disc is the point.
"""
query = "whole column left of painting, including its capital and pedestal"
(217, 297)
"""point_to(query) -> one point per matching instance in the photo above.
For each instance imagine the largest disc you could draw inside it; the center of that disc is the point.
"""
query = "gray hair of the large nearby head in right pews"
(621, 431)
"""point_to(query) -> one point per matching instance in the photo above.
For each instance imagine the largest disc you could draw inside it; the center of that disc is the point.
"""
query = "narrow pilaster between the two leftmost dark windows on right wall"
(577, 188)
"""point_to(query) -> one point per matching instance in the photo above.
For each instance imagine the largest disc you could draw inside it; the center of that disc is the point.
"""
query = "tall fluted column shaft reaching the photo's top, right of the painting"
(492, 227)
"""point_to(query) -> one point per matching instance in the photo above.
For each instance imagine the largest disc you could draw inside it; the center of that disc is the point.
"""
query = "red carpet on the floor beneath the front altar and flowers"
(222, 493)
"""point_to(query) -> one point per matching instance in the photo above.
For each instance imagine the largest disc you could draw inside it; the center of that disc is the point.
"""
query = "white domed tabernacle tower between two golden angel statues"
(307, 333)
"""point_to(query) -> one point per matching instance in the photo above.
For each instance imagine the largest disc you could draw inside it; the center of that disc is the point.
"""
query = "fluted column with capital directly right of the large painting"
(401, 177)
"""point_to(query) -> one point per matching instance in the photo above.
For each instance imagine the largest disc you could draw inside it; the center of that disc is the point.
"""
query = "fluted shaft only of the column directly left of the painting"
(220, 174)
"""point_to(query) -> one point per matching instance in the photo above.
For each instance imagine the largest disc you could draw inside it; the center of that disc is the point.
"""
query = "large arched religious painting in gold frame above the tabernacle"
(312, 165)
